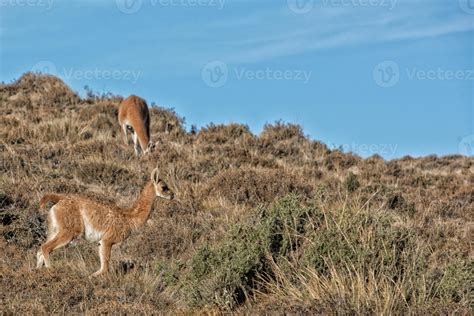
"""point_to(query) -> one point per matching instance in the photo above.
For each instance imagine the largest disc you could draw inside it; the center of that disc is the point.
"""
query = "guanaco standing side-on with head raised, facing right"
(73, 216)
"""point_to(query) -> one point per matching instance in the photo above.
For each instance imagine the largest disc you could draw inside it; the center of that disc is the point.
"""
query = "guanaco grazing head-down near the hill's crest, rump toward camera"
(134, 117)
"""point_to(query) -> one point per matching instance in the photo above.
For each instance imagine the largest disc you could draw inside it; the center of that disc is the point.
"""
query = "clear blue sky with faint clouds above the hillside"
(394, 77)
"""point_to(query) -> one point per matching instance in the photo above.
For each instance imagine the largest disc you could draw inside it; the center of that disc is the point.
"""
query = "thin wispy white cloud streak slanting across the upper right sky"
(339, 27)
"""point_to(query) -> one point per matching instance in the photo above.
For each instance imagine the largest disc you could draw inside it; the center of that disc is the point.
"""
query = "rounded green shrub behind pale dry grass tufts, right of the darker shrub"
(367, 242)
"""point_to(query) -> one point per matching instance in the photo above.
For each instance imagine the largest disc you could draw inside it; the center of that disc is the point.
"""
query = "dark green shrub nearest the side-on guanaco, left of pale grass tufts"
(225, 274)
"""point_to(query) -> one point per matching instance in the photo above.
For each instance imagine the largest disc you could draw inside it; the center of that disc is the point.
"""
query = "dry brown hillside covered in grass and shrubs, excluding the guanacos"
(262, 223)
